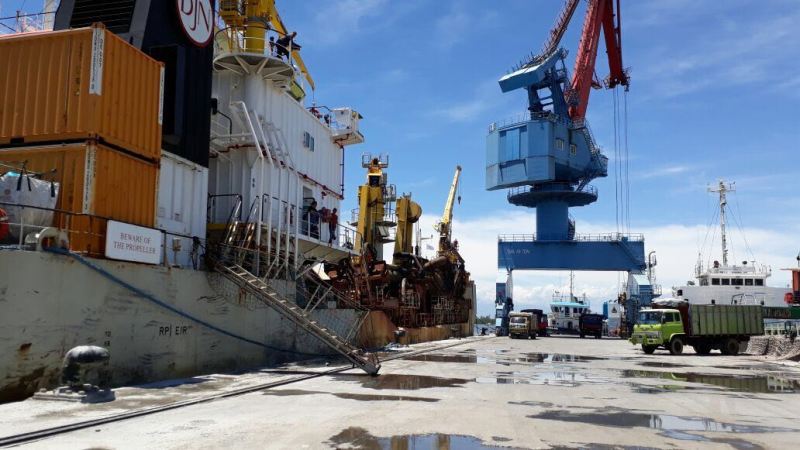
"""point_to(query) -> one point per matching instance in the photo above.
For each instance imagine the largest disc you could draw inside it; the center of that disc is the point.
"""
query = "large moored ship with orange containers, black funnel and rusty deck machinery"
(167, 194)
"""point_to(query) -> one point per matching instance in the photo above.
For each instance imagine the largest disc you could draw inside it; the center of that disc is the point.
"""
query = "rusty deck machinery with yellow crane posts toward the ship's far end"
(412, 290)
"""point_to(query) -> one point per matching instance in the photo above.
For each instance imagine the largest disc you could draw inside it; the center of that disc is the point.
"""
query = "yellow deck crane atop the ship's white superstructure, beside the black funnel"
(252, 18)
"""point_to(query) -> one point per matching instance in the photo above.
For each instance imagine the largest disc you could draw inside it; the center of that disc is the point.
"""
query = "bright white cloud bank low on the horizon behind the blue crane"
(676, 248)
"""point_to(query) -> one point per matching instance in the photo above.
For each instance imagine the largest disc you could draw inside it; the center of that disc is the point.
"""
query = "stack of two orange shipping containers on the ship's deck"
(88, 105)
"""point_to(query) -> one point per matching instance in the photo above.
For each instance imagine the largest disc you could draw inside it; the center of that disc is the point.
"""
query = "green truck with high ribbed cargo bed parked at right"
(704, 327)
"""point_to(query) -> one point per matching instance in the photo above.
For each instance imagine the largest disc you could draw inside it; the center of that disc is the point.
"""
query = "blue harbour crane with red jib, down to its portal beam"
(550, 157)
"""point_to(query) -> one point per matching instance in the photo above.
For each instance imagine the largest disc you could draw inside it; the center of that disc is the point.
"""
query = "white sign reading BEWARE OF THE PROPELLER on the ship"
(128, 242)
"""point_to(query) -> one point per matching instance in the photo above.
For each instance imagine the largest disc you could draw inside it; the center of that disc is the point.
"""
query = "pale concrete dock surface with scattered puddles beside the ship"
(483, 392)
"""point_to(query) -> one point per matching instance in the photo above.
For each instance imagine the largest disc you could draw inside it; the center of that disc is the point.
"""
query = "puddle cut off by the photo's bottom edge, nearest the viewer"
(356, 437)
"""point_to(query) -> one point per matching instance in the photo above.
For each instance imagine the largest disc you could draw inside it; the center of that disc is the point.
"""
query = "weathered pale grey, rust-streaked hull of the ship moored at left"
(51, 303)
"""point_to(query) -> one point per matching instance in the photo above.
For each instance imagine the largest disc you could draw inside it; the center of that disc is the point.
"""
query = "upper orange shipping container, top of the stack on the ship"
(80, 84)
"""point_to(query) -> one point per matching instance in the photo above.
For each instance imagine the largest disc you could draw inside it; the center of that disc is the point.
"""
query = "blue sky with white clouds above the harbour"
(715, 93)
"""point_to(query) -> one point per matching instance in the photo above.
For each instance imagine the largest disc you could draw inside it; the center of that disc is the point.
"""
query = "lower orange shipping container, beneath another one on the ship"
(94, 180)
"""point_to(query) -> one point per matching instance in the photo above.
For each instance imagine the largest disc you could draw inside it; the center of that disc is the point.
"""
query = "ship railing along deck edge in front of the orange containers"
(86, 233)
